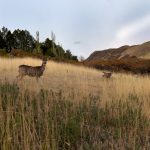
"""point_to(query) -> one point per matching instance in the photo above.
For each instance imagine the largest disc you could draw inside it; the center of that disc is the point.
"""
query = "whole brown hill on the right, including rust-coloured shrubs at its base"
(135, 59)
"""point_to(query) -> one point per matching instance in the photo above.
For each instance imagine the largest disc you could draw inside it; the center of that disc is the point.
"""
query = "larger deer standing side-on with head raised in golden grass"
(31, 71)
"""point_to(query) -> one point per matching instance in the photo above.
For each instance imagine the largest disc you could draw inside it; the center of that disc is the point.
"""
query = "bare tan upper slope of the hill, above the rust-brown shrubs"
(139, 51)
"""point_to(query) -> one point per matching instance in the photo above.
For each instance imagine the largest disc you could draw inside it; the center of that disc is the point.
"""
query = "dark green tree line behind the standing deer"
(23, 40)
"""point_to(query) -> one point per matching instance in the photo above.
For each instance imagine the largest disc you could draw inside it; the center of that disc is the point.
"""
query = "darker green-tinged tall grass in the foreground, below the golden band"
(48, 121)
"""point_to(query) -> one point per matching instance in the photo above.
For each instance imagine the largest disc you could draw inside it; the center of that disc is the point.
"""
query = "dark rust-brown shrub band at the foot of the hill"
(134, 65)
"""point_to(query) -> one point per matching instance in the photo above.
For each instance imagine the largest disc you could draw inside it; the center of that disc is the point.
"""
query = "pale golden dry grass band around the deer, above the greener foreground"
(77, 79)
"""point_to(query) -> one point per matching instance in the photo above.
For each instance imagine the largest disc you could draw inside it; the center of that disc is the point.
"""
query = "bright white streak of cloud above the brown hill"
(134, 28)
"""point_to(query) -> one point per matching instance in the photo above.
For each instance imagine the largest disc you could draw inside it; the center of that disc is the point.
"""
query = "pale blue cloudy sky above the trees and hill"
(82, 26)
